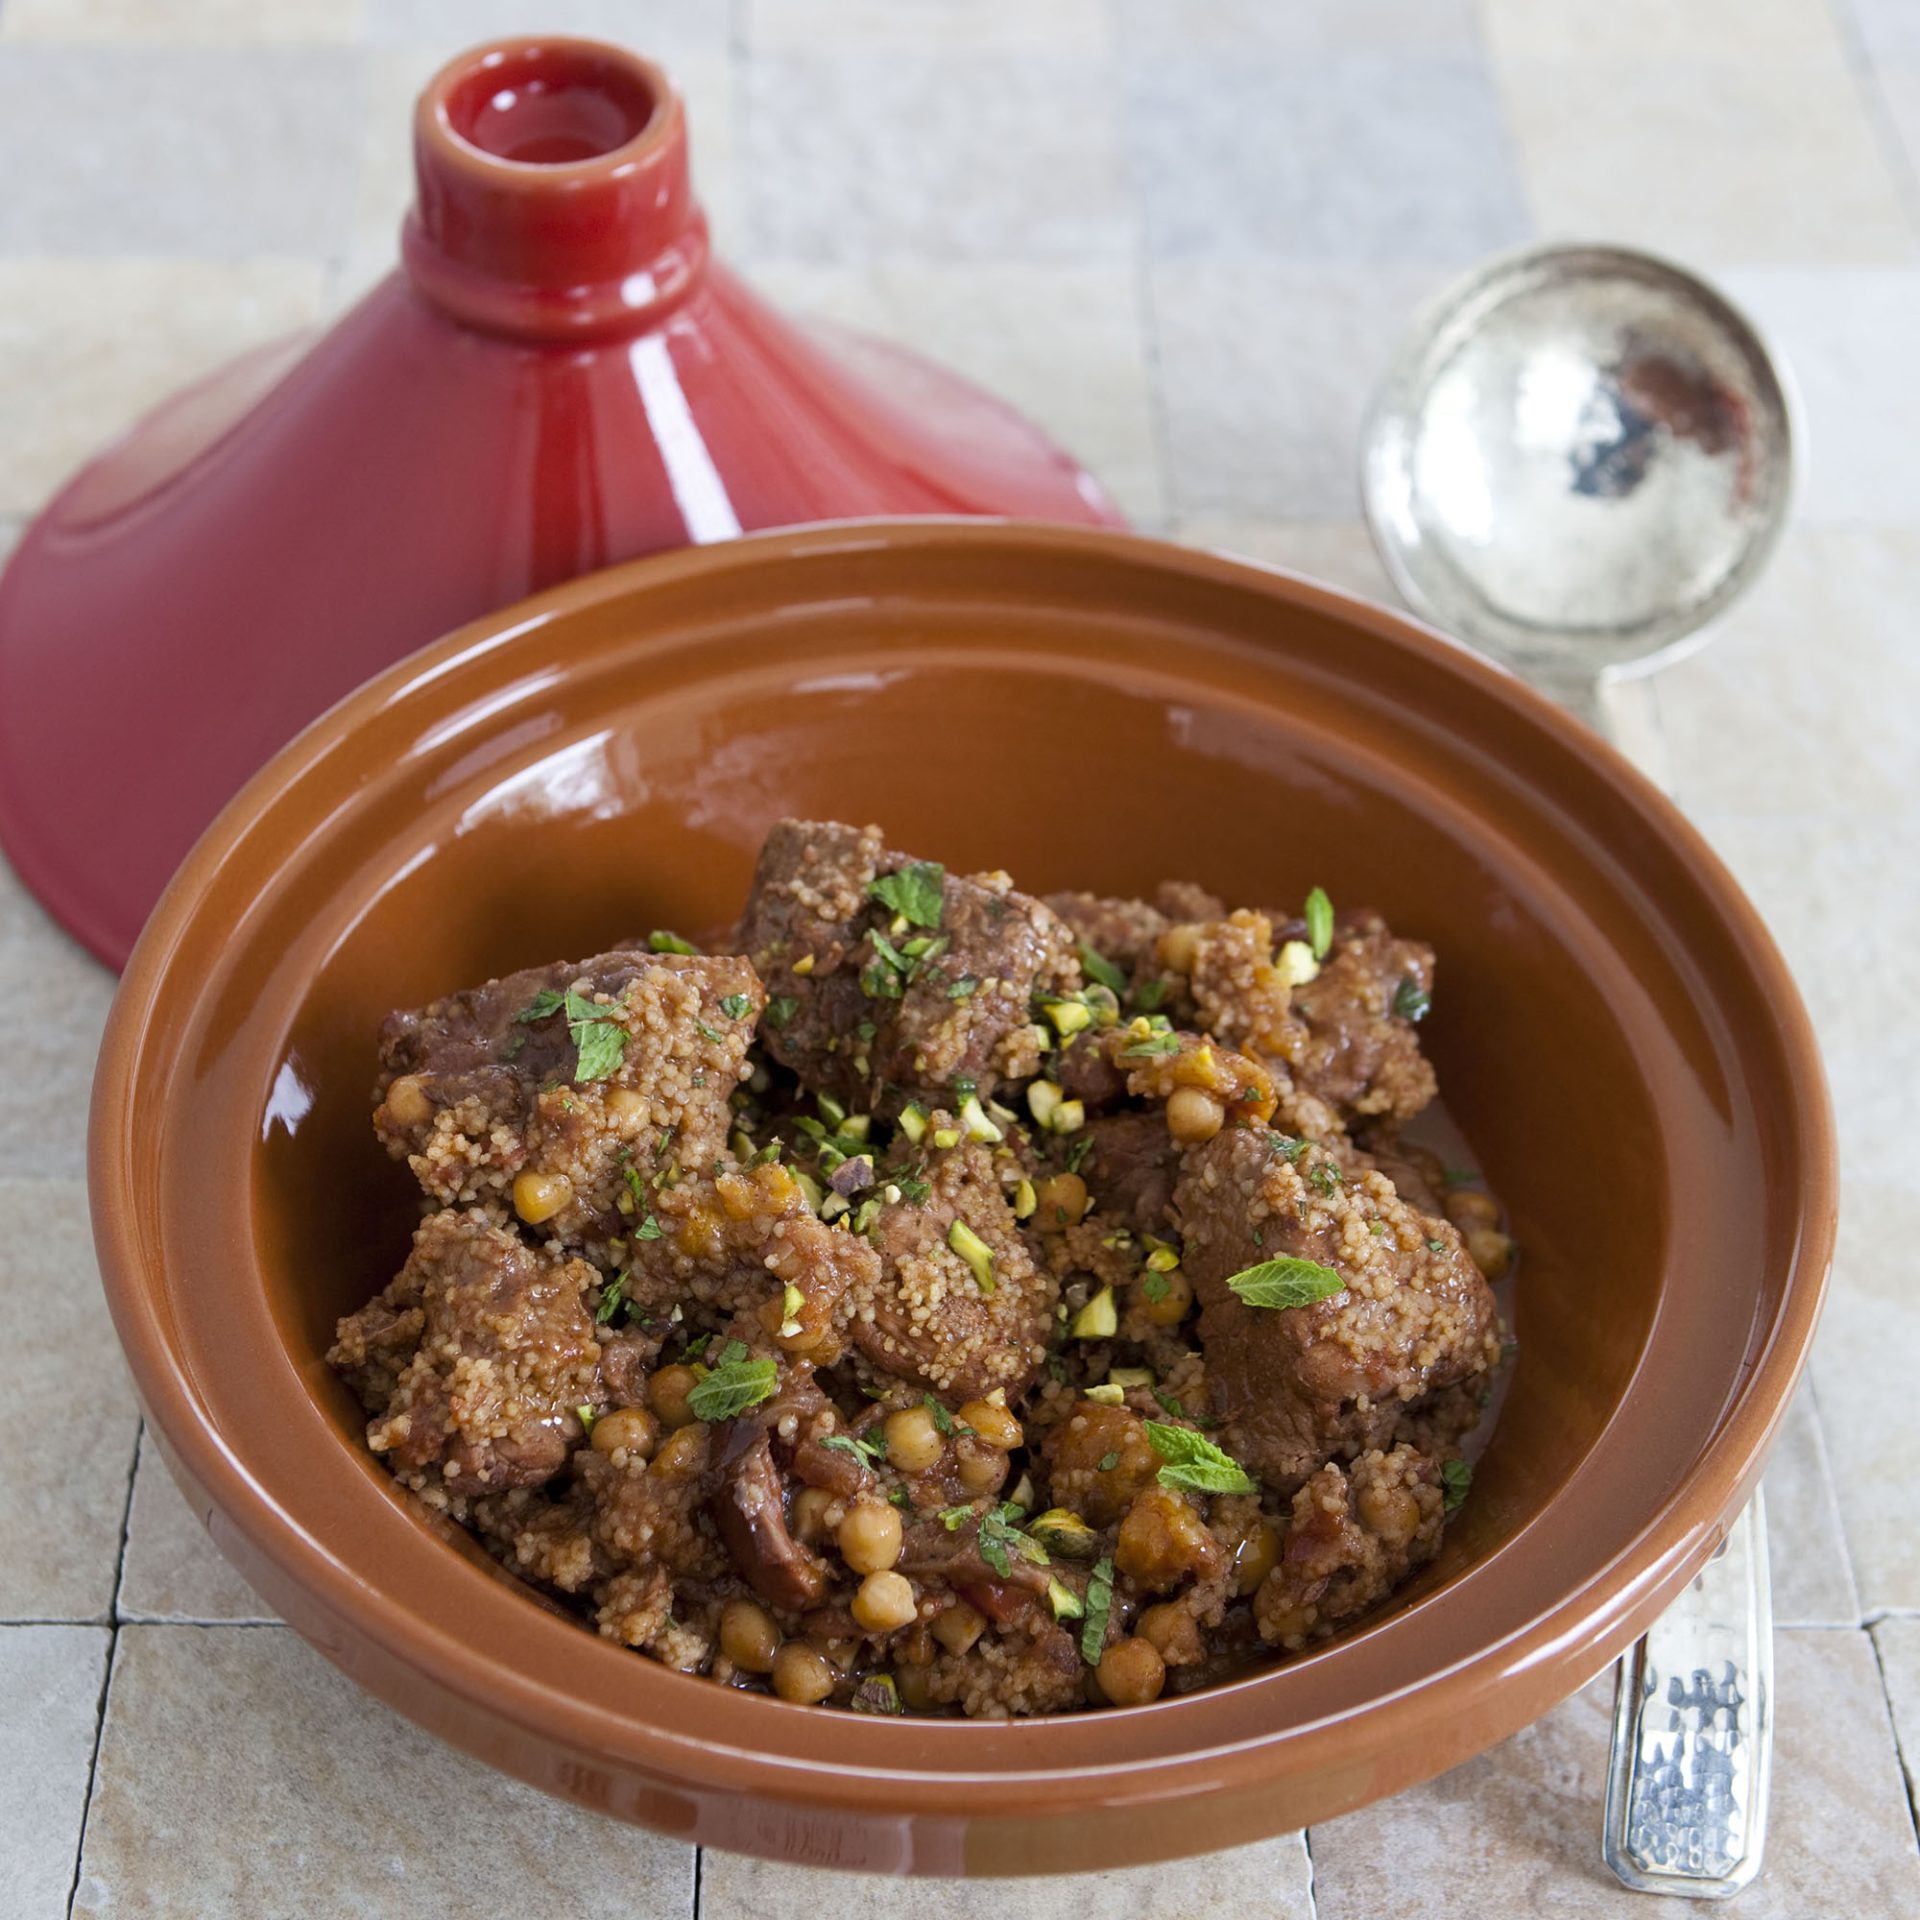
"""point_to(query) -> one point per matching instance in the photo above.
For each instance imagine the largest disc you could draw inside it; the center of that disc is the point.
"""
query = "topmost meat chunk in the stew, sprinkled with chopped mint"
(875, 1005)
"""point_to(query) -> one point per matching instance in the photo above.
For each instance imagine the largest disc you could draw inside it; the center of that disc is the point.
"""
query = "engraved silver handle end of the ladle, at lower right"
(1694, 1731)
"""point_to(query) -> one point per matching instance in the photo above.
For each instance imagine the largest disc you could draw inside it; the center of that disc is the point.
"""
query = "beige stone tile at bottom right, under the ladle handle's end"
(1522, 1825)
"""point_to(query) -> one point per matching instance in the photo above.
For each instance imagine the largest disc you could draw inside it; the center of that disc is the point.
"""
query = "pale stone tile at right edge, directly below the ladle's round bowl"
(1810, 700)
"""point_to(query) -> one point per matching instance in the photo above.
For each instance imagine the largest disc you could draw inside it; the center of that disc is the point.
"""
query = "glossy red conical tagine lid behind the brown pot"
(560, 377)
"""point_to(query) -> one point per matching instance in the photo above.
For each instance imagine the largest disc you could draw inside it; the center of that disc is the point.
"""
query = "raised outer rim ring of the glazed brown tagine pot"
(1149, 1756)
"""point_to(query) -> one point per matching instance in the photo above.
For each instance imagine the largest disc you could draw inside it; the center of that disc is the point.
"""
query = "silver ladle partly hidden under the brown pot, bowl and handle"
(1577, 462)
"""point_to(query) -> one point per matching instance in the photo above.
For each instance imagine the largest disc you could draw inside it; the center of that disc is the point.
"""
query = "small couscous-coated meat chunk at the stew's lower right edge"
(1355, 1537)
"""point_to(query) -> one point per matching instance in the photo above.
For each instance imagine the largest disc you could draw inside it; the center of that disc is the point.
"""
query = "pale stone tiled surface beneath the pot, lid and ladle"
(1184, 233)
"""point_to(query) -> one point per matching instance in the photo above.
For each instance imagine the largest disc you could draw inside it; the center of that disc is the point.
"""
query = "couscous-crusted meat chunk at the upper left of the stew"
(514, 1093)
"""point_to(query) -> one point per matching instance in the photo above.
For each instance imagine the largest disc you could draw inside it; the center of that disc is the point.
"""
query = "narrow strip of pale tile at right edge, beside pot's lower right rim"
(1863, 1374)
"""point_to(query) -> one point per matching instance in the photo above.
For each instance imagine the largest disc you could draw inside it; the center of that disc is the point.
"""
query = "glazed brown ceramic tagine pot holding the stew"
(1612, 1026)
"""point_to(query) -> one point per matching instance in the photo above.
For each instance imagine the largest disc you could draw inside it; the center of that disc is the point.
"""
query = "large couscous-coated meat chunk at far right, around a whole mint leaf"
(1332, 1380)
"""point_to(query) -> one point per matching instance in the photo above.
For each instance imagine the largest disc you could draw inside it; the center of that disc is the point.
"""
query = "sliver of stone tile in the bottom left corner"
(49, 1706)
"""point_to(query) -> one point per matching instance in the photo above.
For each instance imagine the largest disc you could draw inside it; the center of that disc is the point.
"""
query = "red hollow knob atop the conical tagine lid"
(554, 195)
